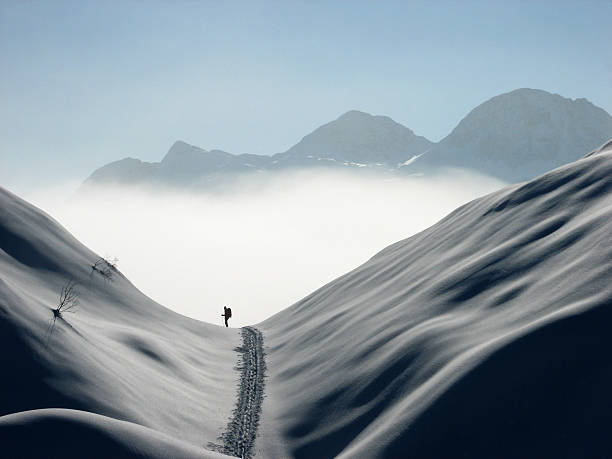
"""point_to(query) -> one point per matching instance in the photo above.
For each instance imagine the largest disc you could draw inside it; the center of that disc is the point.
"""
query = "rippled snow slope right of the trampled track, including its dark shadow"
(487, 335)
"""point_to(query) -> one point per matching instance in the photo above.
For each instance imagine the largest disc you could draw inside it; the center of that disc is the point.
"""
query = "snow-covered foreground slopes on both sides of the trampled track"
(486, 335)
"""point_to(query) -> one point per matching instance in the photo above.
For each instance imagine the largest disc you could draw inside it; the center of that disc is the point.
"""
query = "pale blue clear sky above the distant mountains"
(83, 83)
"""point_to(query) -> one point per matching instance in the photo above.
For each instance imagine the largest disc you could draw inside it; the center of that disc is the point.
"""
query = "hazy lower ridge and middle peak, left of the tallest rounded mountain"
(354, 140)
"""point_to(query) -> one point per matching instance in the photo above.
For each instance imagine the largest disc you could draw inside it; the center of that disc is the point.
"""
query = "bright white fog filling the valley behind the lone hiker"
(257, 249)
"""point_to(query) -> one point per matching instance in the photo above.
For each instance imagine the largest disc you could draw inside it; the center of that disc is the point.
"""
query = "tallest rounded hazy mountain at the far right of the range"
(519, 135)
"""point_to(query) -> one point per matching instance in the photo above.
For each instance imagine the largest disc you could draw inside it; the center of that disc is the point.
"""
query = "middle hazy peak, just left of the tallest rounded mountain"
(360, 138)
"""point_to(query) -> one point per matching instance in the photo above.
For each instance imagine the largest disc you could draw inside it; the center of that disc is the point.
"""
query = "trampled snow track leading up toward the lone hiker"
(239, 436)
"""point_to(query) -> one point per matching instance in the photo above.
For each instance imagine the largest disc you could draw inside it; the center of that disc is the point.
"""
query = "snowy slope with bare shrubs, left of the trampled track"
(120, 355)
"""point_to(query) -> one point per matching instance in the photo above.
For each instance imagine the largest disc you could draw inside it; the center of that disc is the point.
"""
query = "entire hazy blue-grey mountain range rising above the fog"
(514, 137)
